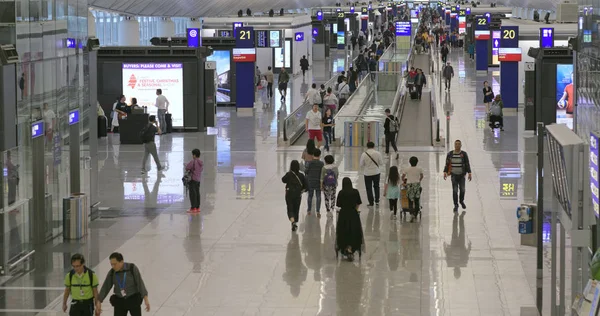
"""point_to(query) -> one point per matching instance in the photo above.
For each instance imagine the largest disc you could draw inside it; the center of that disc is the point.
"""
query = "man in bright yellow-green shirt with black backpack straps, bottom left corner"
(81, 284)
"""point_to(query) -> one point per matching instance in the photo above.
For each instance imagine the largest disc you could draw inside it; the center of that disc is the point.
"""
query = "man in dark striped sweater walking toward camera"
(457, 167)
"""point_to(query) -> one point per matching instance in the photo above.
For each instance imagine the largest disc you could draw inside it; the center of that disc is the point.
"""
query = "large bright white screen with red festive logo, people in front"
(140, 80)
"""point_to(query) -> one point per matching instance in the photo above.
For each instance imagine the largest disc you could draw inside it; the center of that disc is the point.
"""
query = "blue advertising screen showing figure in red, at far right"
(564, 95)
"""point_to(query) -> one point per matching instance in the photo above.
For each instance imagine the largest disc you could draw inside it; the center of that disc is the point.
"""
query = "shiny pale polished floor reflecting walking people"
(239, 257)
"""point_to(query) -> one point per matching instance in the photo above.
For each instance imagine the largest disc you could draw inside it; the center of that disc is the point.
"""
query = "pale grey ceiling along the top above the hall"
(213, 8)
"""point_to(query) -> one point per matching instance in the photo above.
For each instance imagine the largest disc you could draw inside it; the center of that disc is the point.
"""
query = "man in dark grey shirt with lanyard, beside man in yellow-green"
(129, 288)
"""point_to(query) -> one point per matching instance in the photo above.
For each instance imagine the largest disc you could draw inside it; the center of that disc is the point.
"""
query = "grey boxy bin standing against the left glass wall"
(75, 216)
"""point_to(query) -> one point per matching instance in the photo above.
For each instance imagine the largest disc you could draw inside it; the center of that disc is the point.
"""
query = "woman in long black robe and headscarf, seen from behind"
(349, 233)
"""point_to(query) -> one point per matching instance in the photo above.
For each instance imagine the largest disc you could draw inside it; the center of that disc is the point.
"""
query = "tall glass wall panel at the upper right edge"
(588, 68)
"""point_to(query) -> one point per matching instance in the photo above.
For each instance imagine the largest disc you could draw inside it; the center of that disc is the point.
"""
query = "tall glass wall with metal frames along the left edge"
(51, 80)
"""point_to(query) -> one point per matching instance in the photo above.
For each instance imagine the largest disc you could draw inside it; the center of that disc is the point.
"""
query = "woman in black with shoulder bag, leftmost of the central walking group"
(295, 185)
